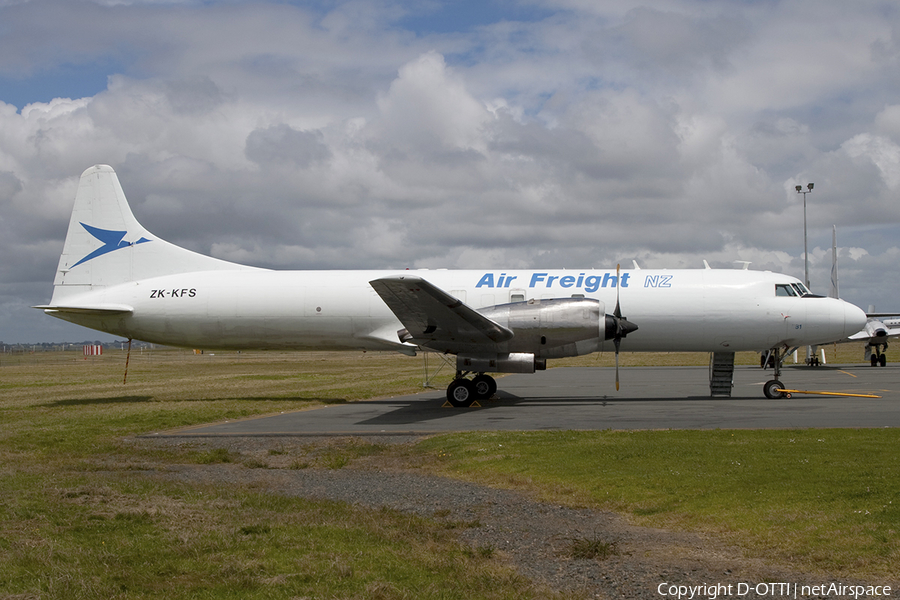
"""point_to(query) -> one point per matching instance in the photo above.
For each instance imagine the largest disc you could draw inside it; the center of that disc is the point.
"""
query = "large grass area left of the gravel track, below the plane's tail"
(81, 515)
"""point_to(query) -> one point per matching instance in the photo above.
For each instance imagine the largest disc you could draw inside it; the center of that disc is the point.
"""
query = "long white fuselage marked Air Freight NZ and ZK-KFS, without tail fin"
(676, 310)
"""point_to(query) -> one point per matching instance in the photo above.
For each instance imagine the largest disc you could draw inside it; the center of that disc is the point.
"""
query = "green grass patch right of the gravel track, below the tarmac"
(822, 500)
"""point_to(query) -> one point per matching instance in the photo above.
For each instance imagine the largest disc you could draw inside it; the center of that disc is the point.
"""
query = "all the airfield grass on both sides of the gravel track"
(79, 520)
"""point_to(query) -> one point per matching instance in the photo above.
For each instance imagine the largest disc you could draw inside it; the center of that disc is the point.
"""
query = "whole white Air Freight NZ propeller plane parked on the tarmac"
(117, 277)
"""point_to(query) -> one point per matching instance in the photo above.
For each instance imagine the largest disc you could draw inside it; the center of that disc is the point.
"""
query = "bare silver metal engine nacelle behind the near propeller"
(554, 328)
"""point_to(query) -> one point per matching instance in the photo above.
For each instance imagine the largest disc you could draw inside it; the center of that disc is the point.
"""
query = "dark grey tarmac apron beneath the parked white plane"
(585, 398)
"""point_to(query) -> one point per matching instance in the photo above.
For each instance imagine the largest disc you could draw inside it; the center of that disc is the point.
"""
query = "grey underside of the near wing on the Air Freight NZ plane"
(434, 318)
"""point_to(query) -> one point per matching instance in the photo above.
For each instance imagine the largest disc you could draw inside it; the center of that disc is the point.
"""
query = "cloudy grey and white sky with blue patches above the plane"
(457, 134)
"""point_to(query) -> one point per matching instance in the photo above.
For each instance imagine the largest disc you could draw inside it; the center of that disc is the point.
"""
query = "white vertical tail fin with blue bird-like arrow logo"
(105, 244)
